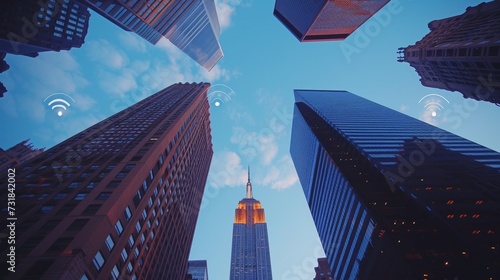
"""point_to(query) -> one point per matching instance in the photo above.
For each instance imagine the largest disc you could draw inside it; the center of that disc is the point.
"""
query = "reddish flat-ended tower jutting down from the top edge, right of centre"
(325, 20)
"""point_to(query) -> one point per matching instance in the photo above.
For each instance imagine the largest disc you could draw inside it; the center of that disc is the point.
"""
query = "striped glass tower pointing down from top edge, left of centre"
(190, 25)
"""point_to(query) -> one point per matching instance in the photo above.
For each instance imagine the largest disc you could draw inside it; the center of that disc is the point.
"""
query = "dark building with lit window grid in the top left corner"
(28, 27)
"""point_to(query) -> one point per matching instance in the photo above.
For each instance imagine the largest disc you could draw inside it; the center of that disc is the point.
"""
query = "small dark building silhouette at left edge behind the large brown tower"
(18, 154)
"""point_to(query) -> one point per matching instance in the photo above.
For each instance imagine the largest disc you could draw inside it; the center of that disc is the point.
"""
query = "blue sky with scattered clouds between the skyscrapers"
(254, 83)
